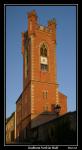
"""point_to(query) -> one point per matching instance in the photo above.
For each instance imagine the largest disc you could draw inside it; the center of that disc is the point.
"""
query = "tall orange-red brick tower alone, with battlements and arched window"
(39, 57)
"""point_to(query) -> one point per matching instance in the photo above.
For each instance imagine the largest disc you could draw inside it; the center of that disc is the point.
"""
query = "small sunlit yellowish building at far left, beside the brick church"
(11, 129)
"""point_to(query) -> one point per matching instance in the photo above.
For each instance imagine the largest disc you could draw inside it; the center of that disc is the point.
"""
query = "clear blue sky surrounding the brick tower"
(16, 23)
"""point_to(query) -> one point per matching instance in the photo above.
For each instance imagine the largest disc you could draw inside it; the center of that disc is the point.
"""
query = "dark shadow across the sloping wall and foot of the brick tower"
(57, 131)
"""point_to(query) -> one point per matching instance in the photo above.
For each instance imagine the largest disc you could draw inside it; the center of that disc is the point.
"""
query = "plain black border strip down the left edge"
(2, 74)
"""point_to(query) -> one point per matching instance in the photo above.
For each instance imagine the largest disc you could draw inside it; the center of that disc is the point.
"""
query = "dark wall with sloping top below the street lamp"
(60, 131)
